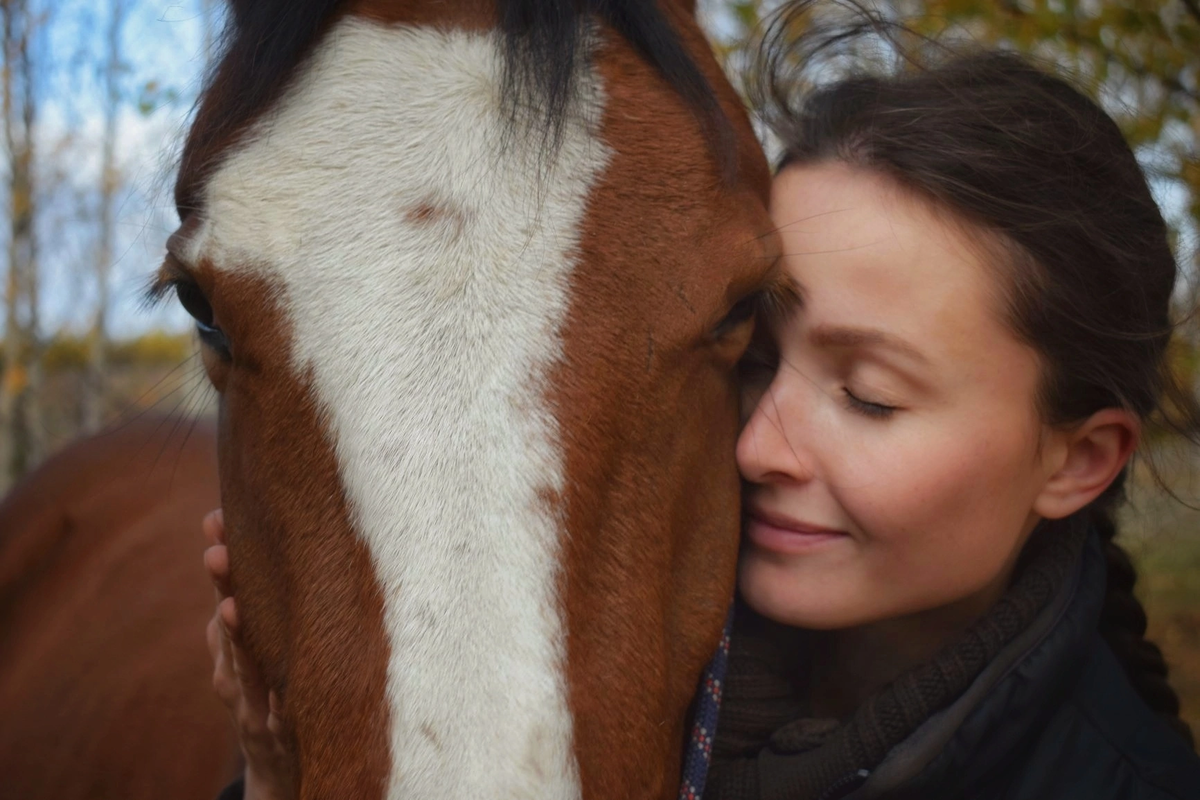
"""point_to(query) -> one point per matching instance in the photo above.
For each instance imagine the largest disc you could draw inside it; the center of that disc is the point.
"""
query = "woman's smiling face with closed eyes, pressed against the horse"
(896, 456)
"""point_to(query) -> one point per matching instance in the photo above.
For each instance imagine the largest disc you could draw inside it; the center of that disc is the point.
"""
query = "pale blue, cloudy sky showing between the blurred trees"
(164, 44)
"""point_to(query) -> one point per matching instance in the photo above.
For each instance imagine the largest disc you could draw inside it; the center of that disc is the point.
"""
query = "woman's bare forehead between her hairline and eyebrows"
(869, 254)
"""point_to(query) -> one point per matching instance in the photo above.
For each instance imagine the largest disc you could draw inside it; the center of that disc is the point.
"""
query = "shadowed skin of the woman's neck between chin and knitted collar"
(848, 666)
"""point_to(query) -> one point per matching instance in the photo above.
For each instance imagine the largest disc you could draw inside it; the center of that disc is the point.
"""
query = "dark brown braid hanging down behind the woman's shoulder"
(1124, 628)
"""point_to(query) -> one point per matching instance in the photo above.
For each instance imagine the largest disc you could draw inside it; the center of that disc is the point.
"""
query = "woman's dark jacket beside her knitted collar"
(1052, 718)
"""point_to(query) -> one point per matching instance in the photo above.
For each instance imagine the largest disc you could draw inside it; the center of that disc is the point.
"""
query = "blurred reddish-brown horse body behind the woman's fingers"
(105, 681)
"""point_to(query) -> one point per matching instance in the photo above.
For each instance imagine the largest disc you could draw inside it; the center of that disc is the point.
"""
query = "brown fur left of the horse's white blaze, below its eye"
(313, 596)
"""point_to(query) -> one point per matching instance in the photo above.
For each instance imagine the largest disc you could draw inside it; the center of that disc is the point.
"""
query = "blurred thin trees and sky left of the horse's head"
(94, 92)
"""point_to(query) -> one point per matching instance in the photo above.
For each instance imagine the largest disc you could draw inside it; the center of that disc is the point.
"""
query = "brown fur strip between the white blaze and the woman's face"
(649, 578)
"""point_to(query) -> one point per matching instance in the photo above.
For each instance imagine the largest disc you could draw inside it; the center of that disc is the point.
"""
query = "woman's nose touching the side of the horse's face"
(771, 449)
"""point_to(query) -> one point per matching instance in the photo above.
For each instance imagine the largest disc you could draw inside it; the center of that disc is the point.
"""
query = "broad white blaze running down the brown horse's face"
(427, 276)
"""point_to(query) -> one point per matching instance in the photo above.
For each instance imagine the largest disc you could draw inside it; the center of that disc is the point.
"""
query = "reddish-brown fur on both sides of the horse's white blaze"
(644, 396)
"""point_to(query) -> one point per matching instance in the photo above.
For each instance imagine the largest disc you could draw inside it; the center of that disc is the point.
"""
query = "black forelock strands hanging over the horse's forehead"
(544, 40)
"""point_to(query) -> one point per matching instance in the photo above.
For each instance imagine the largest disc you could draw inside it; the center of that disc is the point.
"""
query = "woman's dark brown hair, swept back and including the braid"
(1083, 248)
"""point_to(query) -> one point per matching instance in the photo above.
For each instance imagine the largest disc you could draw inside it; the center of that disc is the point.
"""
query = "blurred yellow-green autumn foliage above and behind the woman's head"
(1139, 58)
